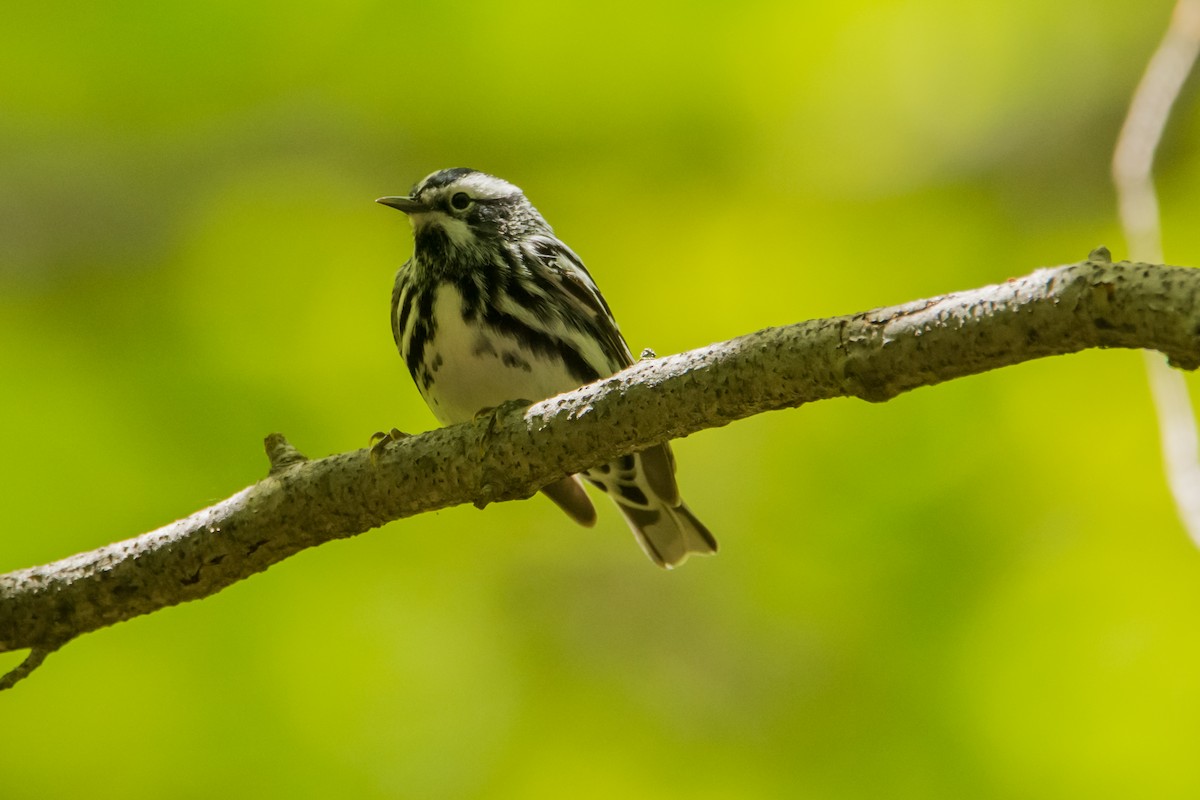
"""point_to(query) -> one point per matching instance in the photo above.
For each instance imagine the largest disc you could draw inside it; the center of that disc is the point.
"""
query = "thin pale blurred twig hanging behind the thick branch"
(1133, 175)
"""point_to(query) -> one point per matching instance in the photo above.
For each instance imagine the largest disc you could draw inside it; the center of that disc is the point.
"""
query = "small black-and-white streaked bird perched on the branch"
(493, 308)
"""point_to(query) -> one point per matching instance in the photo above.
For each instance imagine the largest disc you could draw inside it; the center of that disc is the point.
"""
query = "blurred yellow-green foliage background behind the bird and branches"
(977, 591)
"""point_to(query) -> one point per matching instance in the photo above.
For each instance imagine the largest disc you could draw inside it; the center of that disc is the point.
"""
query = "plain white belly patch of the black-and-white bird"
(476, 369)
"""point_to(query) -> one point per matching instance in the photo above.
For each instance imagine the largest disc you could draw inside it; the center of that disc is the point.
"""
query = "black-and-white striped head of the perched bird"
(469, 212)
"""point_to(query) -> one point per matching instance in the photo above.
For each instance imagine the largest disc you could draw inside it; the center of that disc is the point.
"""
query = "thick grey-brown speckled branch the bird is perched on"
(873, 356)
